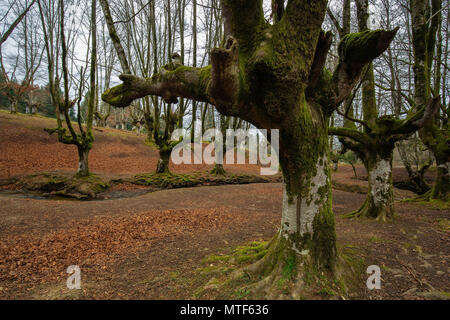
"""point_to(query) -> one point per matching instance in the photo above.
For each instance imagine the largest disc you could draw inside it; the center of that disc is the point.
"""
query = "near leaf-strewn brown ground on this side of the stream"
(149, 246)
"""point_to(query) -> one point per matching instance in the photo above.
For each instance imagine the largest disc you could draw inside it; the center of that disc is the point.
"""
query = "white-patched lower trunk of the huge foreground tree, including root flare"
(306, 243)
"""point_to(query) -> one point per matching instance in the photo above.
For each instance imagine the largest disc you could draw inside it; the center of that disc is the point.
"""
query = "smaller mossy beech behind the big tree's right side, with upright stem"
(375, 143)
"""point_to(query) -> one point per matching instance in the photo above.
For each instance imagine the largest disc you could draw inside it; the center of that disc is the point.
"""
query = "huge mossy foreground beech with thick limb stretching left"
(273, 76)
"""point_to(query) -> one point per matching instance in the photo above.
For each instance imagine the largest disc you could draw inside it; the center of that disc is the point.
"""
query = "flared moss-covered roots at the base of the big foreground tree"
(284, 273)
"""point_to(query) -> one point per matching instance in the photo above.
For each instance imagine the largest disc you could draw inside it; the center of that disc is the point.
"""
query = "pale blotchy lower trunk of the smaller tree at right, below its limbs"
(379, 203)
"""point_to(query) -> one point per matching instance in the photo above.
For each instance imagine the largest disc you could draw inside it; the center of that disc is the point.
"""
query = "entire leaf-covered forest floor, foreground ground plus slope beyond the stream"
(159, 245)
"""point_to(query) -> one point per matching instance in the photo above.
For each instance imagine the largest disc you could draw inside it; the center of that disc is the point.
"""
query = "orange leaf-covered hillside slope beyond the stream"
(26, 148)
